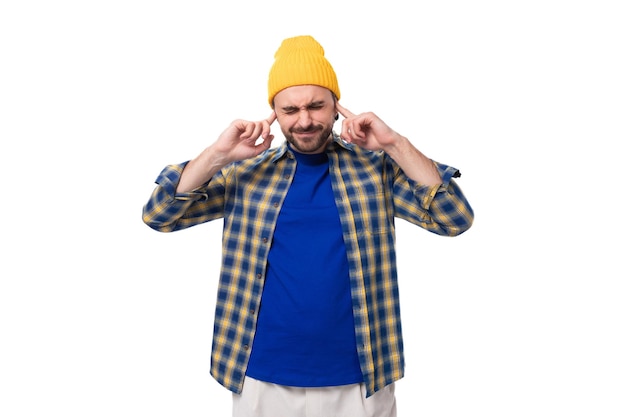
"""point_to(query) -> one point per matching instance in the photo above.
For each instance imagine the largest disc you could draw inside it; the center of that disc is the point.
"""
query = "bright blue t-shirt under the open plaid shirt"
(305, 329)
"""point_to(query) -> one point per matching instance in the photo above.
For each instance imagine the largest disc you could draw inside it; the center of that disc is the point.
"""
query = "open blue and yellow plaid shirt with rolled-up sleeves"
(369, 189)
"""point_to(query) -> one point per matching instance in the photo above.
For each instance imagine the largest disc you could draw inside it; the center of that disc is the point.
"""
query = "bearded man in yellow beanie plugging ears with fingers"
(307, 316)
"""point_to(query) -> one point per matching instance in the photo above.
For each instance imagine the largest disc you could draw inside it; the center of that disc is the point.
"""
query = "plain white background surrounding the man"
(523, 315)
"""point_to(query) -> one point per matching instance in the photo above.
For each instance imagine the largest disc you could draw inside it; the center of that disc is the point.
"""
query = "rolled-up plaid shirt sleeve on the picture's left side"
(167, 211)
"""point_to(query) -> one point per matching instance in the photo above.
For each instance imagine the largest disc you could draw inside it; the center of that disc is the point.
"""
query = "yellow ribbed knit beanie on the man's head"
(300, 61)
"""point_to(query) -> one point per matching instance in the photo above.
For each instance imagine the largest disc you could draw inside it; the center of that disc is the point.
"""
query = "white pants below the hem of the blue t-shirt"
(263, 399)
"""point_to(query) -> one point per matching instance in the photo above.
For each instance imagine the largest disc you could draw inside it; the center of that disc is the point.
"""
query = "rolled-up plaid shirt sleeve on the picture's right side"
(442, 209)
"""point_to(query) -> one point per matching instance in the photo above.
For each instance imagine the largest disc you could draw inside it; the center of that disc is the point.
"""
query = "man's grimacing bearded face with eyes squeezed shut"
(306, 114)
